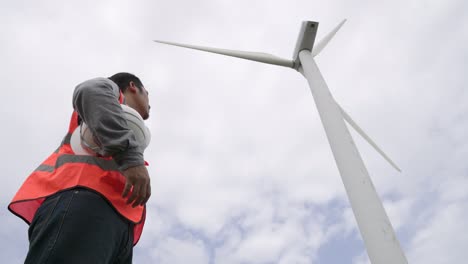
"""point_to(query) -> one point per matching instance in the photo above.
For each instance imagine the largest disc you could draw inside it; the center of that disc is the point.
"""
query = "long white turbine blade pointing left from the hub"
(248, 55)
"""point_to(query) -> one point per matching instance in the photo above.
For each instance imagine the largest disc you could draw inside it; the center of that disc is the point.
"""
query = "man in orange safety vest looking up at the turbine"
(90, 209)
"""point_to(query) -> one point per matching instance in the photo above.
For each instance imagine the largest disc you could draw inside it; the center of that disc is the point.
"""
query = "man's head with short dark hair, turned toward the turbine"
(136, 96)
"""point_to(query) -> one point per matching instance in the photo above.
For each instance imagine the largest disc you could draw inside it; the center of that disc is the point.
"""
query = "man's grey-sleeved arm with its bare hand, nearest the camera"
(97, 104)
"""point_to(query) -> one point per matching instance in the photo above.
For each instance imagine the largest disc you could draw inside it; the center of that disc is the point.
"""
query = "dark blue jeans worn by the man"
(79, 226)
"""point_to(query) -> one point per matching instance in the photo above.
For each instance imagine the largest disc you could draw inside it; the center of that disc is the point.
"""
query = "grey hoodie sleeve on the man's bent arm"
(97, 104)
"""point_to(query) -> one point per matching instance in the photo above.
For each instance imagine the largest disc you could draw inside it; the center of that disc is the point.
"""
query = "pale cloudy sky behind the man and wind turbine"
(241, 168)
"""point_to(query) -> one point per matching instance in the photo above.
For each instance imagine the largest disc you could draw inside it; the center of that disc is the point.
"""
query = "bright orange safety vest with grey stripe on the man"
(64, 170)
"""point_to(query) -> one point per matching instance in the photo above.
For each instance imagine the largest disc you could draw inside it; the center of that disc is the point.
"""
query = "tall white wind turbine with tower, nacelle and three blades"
(375, 227)
